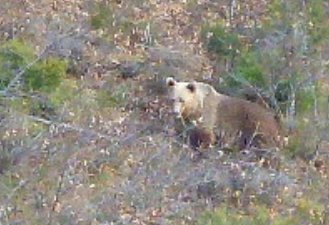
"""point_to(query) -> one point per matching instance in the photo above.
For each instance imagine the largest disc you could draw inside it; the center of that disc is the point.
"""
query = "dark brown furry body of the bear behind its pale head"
(249, 122)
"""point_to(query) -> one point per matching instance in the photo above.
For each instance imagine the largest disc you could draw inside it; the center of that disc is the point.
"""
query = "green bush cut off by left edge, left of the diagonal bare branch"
(14, 55)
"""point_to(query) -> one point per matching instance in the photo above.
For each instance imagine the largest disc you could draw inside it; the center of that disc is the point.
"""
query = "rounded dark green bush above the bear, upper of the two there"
(220, 41)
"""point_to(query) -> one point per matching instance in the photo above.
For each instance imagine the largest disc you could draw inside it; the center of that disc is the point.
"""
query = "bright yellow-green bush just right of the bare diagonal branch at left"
(46, 75)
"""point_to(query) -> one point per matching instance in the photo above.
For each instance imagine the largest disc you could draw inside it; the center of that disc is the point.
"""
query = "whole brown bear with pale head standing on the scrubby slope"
(231, 121)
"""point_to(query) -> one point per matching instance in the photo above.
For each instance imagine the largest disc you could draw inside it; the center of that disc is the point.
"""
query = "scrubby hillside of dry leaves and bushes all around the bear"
(101, 149)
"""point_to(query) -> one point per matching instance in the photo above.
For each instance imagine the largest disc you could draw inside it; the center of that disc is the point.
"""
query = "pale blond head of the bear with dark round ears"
(186, 98)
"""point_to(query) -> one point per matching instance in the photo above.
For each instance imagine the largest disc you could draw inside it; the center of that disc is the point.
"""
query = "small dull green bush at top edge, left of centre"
(102, 17)
